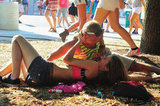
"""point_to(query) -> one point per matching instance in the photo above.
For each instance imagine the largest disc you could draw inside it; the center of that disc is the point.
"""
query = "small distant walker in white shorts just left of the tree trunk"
(136, 10)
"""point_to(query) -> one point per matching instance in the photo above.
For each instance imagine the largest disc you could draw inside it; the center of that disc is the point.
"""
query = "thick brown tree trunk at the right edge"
(150, 40)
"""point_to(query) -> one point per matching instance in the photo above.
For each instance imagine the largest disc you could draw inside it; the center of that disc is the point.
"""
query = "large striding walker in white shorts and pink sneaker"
(110, 9)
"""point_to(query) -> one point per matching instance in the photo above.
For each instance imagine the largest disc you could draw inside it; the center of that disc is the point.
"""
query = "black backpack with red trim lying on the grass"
(132, 90)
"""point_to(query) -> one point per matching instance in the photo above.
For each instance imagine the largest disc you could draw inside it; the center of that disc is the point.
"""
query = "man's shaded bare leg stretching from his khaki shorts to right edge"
(143, 67)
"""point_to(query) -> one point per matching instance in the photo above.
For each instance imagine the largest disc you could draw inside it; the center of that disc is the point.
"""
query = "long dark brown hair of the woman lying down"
(117, 72)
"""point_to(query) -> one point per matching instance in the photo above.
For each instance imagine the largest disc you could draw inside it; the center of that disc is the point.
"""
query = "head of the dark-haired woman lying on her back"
(114, 69)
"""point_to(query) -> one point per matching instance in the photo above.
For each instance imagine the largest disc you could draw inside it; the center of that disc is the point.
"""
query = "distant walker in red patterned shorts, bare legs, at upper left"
(51, 7)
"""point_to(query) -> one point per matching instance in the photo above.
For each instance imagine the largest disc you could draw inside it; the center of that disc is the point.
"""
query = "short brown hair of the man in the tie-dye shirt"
(92, 26)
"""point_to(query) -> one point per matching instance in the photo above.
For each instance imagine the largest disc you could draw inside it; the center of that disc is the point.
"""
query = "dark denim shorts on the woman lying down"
(40, 72)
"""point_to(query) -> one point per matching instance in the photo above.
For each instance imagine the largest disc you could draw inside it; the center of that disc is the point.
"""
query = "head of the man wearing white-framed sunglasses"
(91, 32)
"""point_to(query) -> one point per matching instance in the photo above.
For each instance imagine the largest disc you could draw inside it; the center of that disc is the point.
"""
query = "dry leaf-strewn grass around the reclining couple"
(39, 96)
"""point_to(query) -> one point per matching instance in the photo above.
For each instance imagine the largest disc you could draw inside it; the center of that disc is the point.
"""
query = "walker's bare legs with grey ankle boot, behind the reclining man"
(81, 6)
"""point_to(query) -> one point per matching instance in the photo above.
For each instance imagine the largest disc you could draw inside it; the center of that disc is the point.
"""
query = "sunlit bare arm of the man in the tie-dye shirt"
(62, 50)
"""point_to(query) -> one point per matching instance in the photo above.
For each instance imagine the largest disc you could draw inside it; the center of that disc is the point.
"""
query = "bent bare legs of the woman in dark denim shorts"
(21, 49)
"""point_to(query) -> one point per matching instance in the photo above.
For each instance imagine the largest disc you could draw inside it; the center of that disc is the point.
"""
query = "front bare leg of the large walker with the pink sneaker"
(114, 22)
